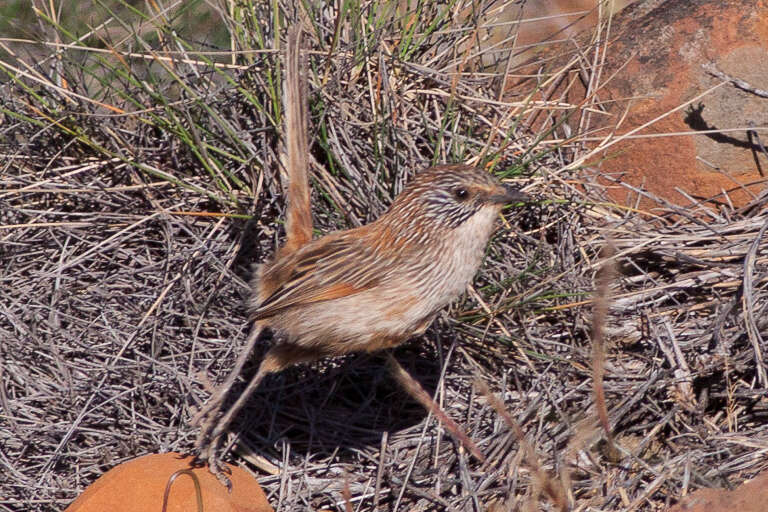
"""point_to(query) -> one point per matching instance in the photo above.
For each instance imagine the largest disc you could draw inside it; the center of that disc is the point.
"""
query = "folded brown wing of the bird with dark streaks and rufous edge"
(322, 270)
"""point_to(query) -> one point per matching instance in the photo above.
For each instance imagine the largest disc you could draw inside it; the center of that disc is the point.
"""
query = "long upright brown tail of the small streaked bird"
(298, 222)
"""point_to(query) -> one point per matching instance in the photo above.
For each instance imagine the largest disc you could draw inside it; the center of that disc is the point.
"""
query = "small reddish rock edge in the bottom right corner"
(751, 496)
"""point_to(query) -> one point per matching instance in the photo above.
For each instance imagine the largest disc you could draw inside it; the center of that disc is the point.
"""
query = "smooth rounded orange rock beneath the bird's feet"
(139, 485)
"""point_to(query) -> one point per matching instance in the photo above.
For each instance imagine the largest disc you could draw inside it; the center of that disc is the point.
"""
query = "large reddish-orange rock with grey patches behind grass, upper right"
(654, 64)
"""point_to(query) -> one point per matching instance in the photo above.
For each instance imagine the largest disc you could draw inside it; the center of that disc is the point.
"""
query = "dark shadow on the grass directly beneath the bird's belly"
(346, 402)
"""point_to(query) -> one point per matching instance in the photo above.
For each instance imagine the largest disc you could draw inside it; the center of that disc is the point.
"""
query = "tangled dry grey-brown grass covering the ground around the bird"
(135, 195)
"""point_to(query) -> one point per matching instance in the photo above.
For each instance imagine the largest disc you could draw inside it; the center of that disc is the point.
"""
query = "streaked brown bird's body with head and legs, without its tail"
(374, 286)
